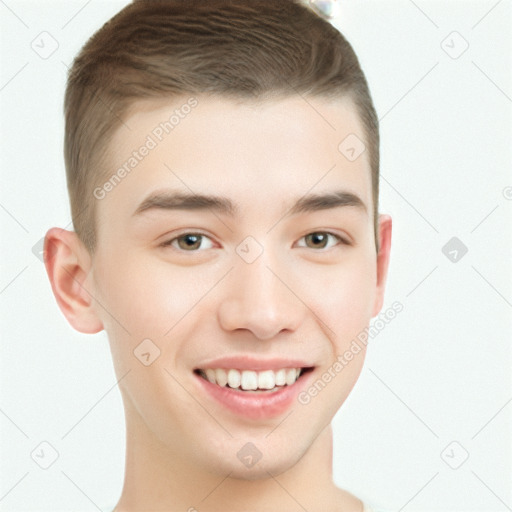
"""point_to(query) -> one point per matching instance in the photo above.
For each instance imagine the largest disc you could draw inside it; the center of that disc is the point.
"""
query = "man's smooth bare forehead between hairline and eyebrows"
(246, 150)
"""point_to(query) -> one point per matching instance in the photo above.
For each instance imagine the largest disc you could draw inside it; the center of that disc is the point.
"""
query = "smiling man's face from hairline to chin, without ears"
(271, 271)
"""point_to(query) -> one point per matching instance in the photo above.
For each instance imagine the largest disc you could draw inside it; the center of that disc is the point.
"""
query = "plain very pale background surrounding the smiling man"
(439, 373)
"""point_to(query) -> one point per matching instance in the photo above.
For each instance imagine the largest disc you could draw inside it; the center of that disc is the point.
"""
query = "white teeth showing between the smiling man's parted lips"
(251, 381)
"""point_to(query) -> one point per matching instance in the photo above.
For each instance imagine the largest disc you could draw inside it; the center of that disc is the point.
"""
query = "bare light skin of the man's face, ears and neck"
(298, 299)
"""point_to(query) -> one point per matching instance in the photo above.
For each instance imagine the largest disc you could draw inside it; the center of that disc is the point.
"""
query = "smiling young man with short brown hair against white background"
(222, 163)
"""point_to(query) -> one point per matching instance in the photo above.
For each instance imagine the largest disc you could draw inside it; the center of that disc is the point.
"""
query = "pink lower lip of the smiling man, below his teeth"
(256, 405)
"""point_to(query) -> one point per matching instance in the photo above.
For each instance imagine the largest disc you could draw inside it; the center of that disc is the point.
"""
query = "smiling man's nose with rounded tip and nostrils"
(259, 298)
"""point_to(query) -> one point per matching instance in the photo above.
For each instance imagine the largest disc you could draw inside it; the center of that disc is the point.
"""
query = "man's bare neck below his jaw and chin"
(158, 479)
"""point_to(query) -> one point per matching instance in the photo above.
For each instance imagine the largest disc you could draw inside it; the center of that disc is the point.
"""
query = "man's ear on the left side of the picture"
(68, 265)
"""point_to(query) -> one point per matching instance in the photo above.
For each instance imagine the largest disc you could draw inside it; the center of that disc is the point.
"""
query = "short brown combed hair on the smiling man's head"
(242, 49)
